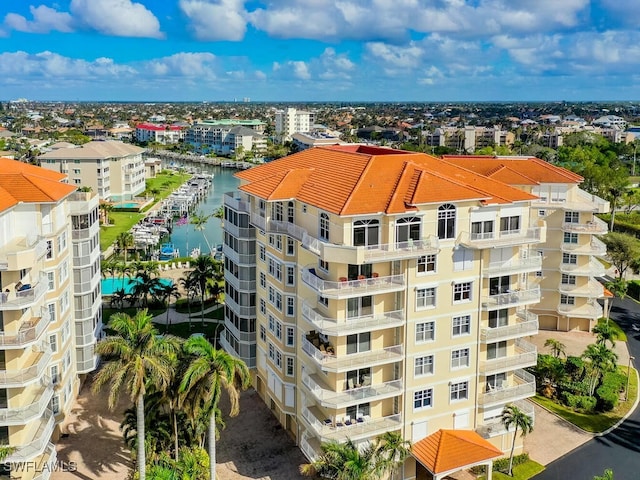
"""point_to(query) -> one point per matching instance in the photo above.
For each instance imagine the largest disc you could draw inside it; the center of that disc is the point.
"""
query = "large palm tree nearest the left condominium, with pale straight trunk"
(136, 358)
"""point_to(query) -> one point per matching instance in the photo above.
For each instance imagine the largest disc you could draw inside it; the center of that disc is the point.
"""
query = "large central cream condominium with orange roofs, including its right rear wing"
(377, 290)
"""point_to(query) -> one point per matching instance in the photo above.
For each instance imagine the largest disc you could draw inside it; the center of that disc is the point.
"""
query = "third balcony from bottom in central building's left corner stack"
(331, 362)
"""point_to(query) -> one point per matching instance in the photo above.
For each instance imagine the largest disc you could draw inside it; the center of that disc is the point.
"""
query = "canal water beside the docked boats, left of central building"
(186, 237)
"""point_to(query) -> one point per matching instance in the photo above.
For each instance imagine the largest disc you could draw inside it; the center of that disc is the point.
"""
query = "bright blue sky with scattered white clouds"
(315, 50)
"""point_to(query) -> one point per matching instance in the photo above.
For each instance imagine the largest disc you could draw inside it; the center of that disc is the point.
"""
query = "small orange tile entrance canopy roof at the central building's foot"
(447, 450)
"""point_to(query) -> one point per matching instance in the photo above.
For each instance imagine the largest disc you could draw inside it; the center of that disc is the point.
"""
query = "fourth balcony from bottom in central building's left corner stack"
(346, 326)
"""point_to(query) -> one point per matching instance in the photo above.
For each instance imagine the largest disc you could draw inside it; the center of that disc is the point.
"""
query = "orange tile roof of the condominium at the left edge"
(22, 182)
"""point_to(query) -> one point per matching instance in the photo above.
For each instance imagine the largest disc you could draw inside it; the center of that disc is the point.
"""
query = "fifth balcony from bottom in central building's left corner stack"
(352, 288)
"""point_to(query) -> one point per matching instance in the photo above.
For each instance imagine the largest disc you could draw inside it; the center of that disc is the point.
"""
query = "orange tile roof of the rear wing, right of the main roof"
(515, 170)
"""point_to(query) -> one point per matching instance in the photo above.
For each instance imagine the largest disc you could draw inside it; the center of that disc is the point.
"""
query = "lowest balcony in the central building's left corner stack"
(357, 430)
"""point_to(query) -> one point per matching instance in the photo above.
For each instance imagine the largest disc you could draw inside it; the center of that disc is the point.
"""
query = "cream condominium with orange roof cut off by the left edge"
(48, 241)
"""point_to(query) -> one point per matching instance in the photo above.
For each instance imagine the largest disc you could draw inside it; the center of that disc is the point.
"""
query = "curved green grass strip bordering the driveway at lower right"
(594, 423)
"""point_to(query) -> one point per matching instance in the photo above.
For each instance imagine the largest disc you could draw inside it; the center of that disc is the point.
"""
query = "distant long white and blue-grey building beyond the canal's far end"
(224, 137)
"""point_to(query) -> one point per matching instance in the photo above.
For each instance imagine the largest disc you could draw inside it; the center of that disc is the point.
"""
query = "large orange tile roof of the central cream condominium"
(357, 179)
